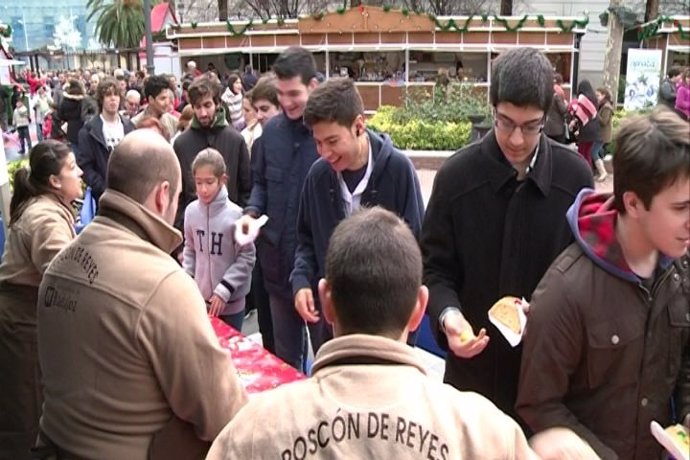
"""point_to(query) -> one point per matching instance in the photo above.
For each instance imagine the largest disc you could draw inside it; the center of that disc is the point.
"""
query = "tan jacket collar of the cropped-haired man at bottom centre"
(364, 349)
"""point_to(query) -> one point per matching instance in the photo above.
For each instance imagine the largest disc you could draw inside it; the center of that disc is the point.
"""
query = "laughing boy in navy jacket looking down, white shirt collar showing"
(358, 168)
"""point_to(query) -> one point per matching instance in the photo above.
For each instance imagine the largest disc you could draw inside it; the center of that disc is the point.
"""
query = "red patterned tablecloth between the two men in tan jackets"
(258, 369)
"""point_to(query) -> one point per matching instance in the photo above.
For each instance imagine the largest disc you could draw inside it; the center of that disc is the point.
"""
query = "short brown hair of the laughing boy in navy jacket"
(336, 100)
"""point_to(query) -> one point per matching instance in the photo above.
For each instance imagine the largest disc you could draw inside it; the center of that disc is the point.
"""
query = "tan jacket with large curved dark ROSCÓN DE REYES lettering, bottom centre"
(370, 398)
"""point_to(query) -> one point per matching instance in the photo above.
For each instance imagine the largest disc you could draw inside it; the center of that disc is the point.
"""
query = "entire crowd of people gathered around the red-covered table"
(106, 333)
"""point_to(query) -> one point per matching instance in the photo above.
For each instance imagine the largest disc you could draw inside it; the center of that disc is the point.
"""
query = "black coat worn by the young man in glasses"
(487, 235)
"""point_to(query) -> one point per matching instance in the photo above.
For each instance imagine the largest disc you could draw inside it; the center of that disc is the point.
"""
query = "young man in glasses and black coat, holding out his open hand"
(495, 222)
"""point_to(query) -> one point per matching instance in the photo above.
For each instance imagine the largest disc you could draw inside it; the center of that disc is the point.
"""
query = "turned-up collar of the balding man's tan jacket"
(139, 220)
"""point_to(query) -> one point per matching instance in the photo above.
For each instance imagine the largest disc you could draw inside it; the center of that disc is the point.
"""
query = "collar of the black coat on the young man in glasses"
(500, 171)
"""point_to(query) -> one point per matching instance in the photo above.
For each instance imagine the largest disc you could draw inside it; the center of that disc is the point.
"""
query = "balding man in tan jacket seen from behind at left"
(131, 367)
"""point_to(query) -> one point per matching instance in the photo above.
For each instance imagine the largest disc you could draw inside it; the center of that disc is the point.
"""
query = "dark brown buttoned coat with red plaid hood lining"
(603, 354)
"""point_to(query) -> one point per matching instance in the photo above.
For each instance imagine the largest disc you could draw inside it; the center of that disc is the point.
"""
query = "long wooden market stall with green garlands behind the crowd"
(386, 51)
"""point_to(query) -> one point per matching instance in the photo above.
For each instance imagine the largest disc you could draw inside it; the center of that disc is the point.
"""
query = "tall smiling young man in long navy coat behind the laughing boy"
(281, 159)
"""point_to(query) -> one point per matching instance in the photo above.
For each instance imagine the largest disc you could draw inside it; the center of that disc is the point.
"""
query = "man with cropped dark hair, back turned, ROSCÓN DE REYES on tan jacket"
(369, 396)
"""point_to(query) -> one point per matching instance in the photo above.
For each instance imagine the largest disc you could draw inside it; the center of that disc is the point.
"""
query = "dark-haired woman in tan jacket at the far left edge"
(41, 223)
